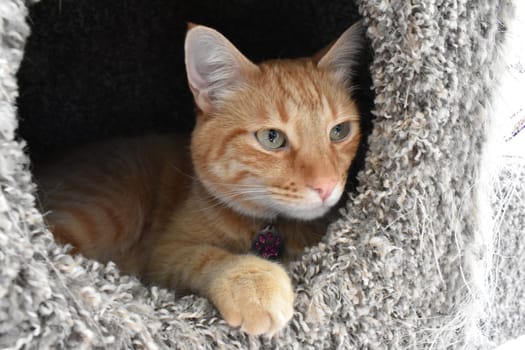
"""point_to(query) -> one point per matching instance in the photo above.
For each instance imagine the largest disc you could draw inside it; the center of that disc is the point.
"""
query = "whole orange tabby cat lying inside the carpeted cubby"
(272, 144)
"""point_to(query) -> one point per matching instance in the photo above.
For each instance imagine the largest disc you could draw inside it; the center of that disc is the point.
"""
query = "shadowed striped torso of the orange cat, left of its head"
(109, 197)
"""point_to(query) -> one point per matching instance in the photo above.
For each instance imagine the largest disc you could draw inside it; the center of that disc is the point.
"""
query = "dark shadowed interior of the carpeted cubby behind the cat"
(94, 69)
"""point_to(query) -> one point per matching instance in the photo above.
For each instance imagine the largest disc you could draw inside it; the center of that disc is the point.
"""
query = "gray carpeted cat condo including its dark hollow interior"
(410, 262)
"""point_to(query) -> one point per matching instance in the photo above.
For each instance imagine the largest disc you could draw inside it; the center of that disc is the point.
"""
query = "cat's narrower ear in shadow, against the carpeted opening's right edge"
(343, 55)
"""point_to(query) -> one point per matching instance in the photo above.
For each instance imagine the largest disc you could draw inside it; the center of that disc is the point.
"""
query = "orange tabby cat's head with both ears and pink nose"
(274, 139)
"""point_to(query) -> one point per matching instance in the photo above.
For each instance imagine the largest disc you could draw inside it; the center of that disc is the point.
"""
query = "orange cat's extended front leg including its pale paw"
(248, 291)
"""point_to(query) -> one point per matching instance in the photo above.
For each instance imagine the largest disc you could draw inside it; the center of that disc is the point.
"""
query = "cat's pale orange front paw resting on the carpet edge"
(254, 294)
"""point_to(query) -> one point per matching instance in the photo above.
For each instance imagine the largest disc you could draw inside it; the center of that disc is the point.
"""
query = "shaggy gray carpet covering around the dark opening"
(413, 262)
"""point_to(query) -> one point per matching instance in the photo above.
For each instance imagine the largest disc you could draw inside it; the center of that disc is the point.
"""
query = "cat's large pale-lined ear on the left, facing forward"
(214, 66)
